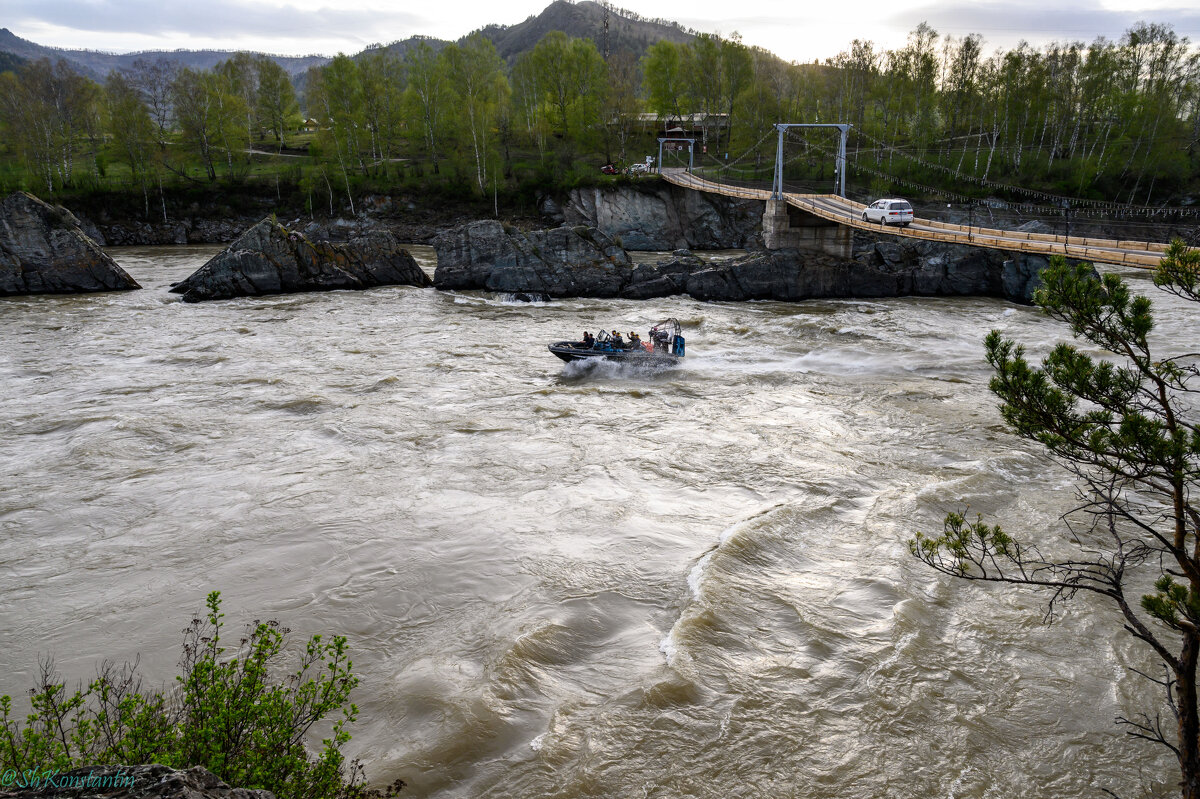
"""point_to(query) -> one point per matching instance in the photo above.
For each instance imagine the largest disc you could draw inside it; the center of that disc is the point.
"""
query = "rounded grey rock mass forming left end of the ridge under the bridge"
(562, 262)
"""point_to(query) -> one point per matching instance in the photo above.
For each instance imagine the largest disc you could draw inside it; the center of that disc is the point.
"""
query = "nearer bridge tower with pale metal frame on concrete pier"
(787, 227)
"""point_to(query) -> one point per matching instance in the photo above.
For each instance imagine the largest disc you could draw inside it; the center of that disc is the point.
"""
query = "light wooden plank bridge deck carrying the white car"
(837, 209)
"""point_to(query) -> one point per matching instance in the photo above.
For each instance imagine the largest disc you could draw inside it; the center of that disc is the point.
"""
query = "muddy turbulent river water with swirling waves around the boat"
(560, 581)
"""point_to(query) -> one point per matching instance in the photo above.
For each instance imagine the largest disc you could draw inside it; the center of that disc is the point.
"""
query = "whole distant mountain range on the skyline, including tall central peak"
(627, 32)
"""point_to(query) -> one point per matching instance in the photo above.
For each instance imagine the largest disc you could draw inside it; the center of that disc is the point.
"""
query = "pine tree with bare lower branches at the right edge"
(1131, 435)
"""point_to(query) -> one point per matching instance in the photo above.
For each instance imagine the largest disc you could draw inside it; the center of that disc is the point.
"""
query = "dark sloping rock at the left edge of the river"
(44, 251)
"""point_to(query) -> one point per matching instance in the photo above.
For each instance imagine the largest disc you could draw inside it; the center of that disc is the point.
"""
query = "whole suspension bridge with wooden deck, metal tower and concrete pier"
(826, 223)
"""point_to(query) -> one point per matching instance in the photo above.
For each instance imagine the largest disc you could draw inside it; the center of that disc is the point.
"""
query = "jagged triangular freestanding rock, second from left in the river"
(269, 260)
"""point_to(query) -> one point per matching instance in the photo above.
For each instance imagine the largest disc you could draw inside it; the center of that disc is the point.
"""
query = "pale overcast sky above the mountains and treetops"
(799, 31)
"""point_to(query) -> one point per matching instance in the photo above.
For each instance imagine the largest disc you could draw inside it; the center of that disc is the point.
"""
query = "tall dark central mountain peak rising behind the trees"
(627, 31)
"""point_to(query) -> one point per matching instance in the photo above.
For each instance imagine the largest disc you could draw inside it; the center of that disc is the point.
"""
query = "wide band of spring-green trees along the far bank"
(1113, 119)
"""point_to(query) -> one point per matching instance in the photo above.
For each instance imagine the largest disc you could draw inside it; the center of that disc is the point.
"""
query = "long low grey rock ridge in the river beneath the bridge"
(583, 262)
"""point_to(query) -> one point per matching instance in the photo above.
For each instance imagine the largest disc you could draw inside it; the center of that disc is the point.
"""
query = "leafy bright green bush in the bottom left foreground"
(231, 713)
